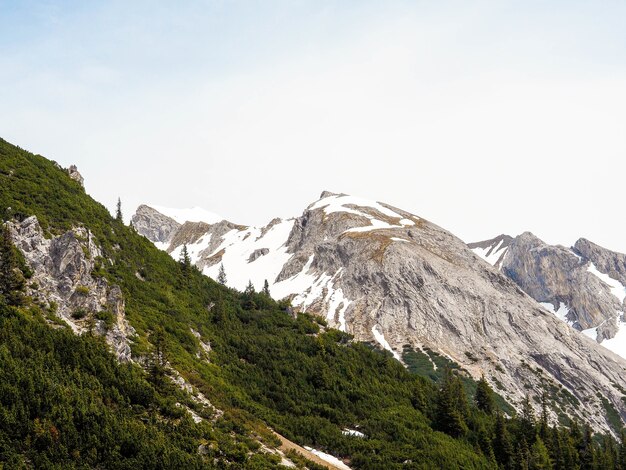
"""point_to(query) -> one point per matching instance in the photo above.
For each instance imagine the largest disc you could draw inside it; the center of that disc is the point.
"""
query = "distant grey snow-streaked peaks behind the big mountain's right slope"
(584, 285)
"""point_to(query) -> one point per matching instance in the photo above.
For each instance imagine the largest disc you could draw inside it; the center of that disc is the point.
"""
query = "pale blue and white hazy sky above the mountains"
(484, 117)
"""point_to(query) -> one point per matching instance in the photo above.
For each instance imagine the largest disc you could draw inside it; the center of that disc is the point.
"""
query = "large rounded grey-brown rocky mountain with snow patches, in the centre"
(390, 277)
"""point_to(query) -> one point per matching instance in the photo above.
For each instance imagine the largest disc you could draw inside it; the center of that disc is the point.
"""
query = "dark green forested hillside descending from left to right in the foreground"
(66, 402)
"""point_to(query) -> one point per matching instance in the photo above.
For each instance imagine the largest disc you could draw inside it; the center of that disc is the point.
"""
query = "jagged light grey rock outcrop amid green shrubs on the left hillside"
(62, 268)
